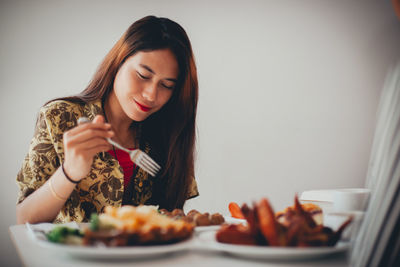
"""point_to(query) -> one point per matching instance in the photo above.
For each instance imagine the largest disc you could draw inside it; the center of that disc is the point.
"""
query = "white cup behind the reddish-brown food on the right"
(351, 199)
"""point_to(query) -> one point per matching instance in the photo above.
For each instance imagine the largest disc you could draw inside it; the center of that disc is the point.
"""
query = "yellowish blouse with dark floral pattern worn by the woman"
(103, 186)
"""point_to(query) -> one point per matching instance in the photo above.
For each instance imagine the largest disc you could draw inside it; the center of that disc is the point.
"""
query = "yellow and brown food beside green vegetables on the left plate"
(129, 225)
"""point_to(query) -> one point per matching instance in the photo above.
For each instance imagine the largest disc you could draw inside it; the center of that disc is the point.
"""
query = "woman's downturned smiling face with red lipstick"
(145, 82)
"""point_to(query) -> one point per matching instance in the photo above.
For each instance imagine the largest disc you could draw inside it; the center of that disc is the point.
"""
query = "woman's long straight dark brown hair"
(172, 129)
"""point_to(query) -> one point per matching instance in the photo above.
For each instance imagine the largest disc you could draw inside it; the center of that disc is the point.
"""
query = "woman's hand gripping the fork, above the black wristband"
(82, 143)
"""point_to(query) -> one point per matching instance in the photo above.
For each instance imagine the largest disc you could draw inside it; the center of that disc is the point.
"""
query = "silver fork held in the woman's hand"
(137, 156)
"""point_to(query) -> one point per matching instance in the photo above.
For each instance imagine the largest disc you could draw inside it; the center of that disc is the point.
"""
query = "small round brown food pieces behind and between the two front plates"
(195, 217)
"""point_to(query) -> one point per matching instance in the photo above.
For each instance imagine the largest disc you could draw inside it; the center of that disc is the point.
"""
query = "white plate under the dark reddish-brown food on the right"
(270, 253)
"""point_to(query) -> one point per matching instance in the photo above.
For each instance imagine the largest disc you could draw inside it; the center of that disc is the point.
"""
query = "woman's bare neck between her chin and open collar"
(120, 123)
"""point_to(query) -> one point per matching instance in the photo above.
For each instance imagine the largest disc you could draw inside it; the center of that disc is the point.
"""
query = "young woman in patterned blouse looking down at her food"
(143, 95)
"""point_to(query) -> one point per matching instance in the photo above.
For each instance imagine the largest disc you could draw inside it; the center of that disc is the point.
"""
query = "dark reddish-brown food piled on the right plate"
(264, 228)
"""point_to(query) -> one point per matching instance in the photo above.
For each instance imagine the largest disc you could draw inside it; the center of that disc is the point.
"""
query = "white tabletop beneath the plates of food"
(33, 255)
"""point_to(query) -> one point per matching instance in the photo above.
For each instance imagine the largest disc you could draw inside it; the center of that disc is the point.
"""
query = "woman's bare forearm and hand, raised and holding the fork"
(80, 145)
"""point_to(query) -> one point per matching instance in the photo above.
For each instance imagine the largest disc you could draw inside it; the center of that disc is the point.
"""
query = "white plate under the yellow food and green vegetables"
(115, 252)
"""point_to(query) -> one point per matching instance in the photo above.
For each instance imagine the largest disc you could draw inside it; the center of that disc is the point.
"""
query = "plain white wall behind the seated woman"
(288, 89)
